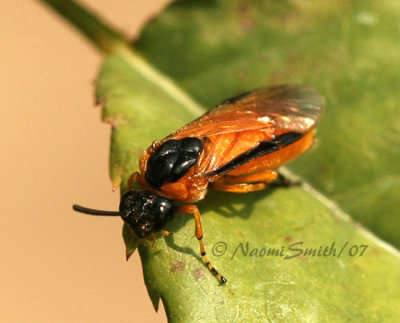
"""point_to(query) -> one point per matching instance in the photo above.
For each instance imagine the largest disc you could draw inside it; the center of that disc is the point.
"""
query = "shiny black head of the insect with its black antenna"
(145, 212)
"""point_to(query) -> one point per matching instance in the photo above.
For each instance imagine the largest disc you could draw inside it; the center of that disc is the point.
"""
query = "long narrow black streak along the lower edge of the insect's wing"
(262, 148)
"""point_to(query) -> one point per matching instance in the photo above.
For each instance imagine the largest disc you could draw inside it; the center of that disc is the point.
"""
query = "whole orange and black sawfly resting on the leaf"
(235, 147)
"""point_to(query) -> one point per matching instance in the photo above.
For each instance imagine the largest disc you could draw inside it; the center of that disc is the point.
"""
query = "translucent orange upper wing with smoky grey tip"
(277, 110)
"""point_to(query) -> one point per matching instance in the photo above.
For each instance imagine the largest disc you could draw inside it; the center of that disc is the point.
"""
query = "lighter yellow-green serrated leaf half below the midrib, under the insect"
(358, 285)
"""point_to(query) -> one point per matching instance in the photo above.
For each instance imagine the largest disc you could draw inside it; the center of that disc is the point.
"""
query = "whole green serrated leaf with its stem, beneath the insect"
(289, 254)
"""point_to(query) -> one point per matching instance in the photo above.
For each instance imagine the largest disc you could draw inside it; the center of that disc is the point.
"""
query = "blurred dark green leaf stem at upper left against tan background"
(102, 35)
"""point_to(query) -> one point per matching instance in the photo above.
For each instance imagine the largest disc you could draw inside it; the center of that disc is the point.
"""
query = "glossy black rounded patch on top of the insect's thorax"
(172, 160)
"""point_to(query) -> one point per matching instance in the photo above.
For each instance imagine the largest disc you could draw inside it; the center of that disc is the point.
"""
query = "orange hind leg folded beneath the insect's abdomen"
(245, 183)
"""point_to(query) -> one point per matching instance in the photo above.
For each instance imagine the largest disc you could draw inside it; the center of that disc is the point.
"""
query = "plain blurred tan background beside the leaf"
(57, 265)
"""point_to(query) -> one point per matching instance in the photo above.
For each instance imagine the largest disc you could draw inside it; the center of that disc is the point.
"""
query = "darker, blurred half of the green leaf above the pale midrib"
(347, 49)
